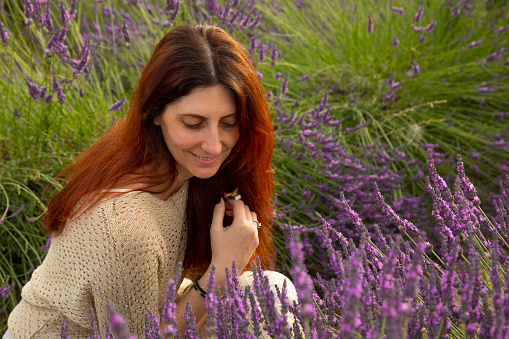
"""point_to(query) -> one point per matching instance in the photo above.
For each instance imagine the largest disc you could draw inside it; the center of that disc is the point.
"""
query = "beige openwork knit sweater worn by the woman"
(124, 249)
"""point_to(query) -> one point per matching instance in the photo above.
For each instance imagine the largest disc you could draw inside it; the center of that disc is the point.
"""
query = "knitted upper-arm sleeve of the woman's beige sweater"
(134, 267)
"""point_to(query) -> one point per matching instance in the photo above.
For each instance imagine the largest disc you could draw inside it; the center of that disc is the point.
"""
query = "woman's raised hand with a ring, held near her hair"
(235, 242)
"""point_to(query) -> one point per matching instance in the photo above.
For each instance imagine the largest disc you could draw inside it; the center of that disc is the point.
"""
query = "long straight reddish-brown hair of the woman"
(133, 151)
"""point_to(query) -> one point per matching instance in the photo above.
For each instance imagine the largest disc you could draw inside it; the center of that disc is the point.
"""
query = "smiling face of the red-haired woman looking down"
(200, 130)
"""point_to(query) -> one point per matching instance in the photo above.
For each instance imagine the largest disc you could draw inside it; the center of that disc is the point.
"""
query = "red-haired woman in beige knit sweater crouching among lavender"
(150, 193)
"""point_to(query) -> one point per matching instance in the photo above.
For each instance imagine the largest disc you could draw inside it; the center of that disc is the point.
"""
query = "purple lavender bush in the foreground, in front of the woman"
(389, 287)
